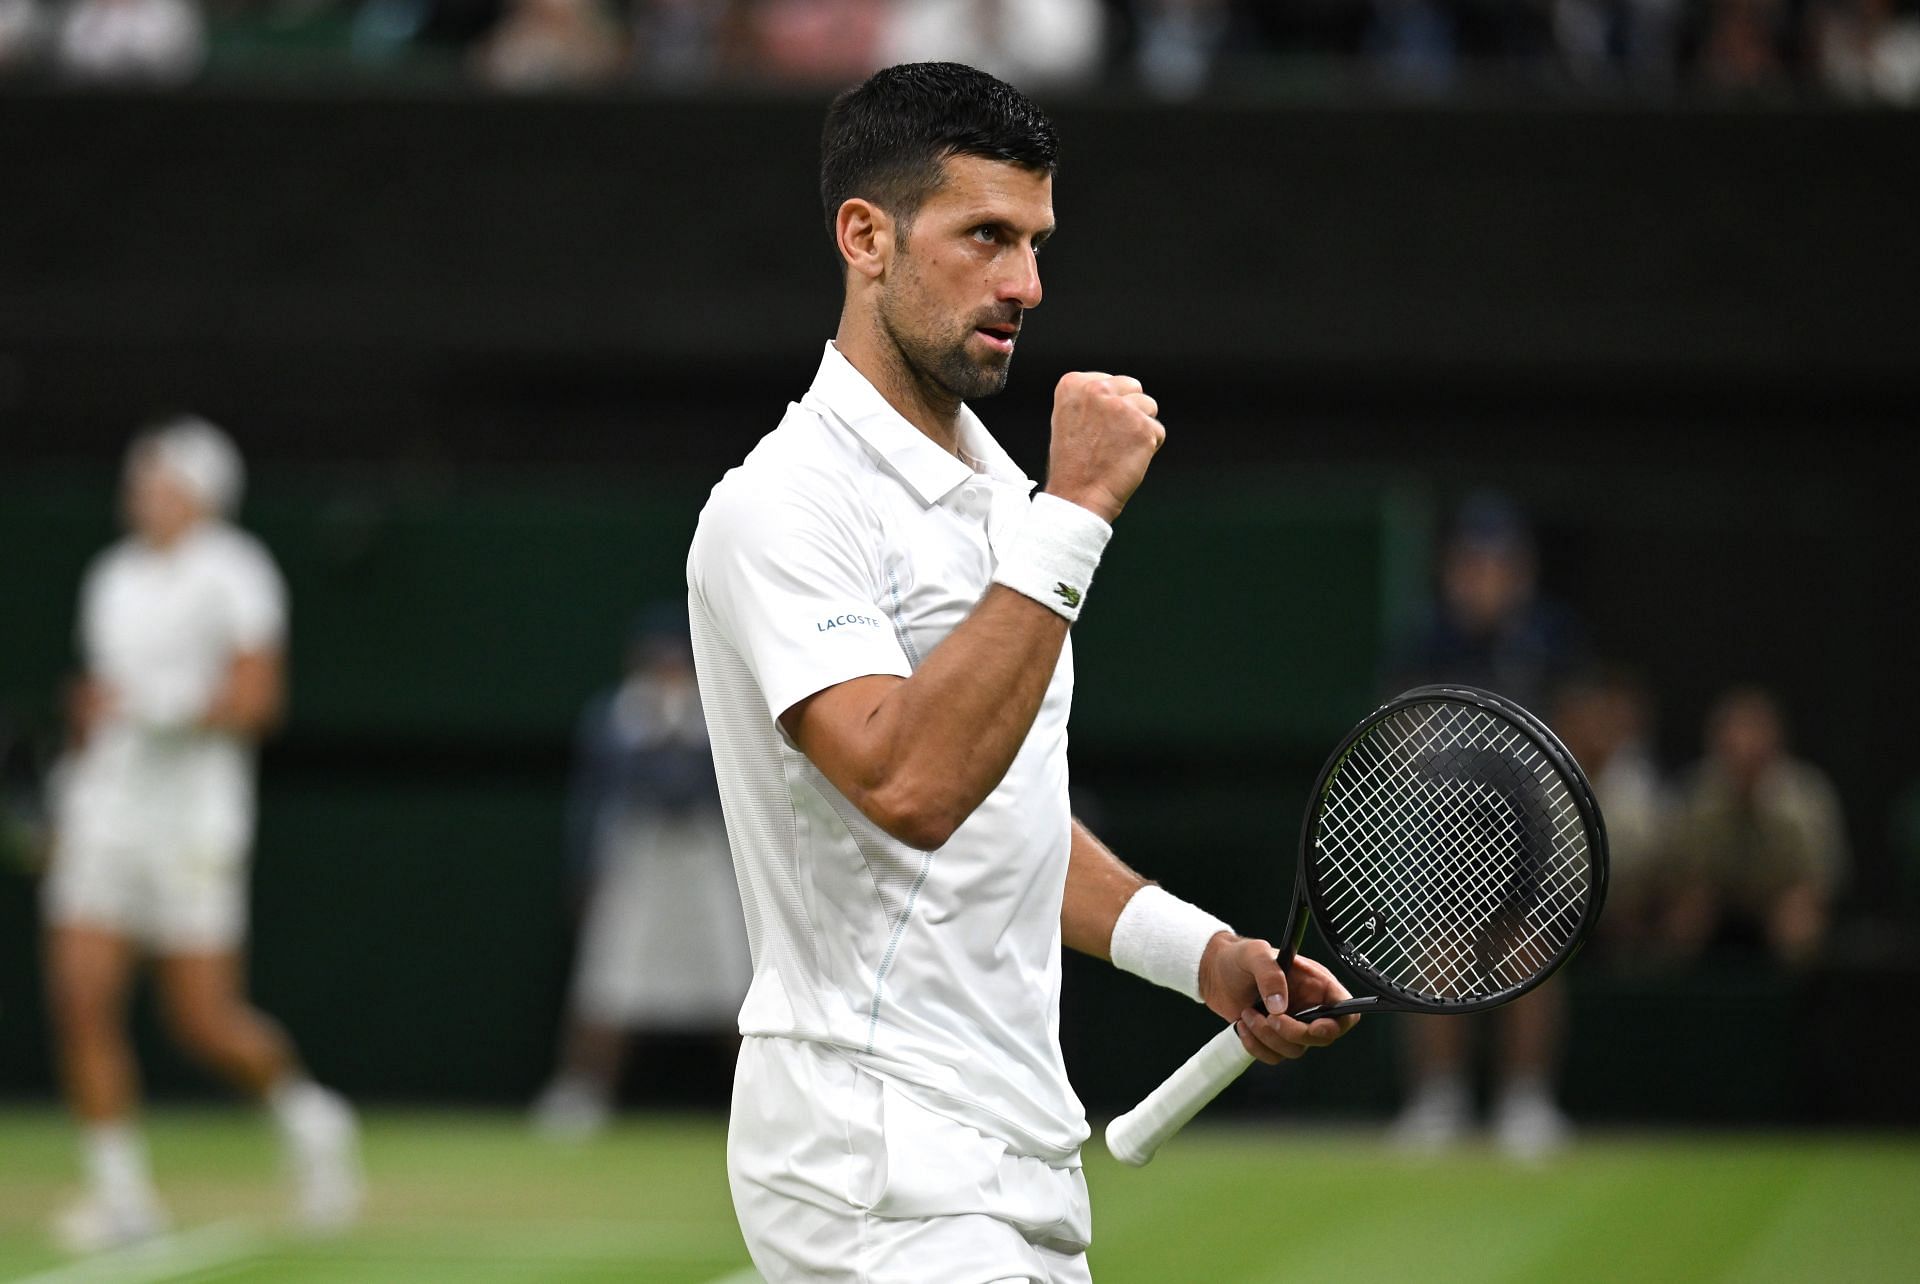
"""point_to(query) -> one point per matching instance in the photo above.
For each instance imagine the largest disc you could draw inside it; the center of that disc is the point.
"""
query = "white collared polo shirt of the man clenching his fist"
(850, 544)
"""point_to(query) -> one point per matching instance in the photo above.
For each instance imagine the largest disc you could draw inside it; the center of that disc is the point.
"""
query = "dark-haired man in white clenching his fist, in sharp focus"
(880, 619)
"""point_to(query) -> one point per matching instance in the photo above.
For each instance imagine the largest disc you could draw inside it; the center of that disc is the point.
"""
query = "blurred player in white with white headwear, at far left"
(183, 632)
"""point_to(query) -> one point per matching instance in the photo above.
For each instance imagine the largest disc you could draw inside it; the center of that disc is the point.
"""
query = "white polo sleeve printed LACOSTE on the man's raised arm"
(798, 592)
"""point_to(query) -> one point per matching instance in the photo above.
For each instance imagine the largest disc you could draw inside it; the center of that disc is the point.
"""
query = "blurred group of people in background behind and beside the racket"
(1742, 851)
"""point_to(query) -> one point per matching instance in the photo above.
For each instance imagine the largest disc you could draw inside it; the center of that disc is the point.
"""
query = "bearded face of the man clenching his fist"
(967, 272)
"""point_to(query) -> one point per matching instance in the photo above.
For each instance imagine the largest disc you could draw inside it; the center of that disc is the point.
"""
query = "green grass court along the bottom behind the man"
(475, 1199)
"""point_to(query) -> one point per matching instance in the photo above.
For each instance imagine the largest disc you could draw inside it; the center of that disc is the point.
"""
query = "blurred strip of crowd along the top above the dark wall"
(1861, 51)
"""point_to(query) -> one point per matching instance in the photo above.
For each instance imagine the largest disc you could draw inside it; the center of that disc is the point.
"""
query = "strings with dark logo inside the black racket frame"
(1452, 857)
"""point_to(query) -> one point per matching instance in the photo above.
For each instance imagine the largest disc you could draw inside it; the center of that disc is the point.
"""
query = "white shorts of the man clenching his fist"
(838, 1176)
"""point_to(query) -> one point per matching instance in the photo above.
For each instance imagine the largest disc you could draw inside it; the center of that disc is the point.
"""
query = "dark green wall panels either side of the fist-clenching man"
(408, 893)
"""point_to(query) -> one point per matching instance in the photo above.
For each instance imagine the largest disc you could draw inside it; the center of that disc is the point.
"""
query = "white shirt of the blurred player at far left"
(162, 629)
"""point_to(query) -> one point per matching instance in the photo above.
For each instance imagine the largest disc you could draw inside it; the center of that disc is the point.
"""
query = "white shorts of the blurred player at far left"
(174, 899)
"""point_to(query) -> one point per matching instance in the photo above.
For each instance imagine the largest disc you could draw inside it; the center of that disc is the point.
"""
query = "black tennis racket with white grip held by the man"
(1452, 857)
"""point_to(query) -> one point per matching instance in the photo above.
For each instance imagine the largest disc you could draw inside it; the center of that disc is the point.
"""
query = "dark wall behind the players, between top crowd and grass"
(487, 358)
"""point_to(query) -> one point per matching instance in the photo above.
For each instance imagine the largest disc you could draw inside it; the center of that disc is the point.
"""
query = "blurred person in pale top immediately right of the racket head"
(1604, 719)
